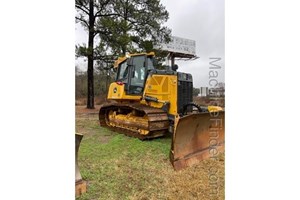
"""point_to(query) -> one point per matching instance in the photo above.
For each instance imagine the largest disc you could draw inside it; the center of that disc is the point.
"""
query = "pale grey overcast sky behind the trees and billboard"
(199, 20)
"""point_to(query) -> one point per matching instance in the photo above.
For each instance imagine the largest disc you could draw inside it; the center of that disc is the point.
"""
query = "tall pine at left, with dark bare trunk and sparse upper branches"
(88, 11)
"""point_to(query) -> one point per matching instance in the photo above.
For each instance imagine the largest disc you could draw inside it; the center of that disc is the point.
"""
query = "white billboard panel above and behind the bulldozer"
(180, 45)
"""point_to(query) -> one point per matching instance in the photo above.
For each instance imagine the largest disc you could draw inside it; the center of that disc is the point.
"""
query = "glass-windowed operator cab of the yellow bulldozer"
(133, 73)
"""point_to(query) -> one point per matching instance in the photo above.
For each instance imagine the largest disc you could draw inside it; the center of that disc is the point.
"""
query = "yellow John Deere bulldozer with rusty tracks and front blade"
(147, 102)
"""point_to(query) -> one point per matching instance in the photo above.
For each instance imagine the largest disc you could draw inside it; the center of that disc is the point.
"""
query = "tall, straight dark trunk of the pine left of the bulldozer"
(90, 82)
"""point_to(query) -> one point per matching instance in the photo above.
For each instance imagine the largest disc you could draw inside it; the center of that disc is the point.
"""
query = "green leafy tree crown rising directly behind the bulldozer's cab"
(136, 27)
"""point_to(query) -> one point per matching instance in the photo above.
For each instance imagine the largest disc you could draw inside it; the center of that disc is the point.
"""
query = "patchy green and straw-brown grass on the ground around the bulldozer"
(121, 167)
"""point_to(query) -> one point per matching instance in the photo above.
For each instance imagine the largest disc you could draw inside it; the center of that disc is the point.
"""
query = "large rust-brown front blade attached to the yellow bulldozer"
(197, 137)
